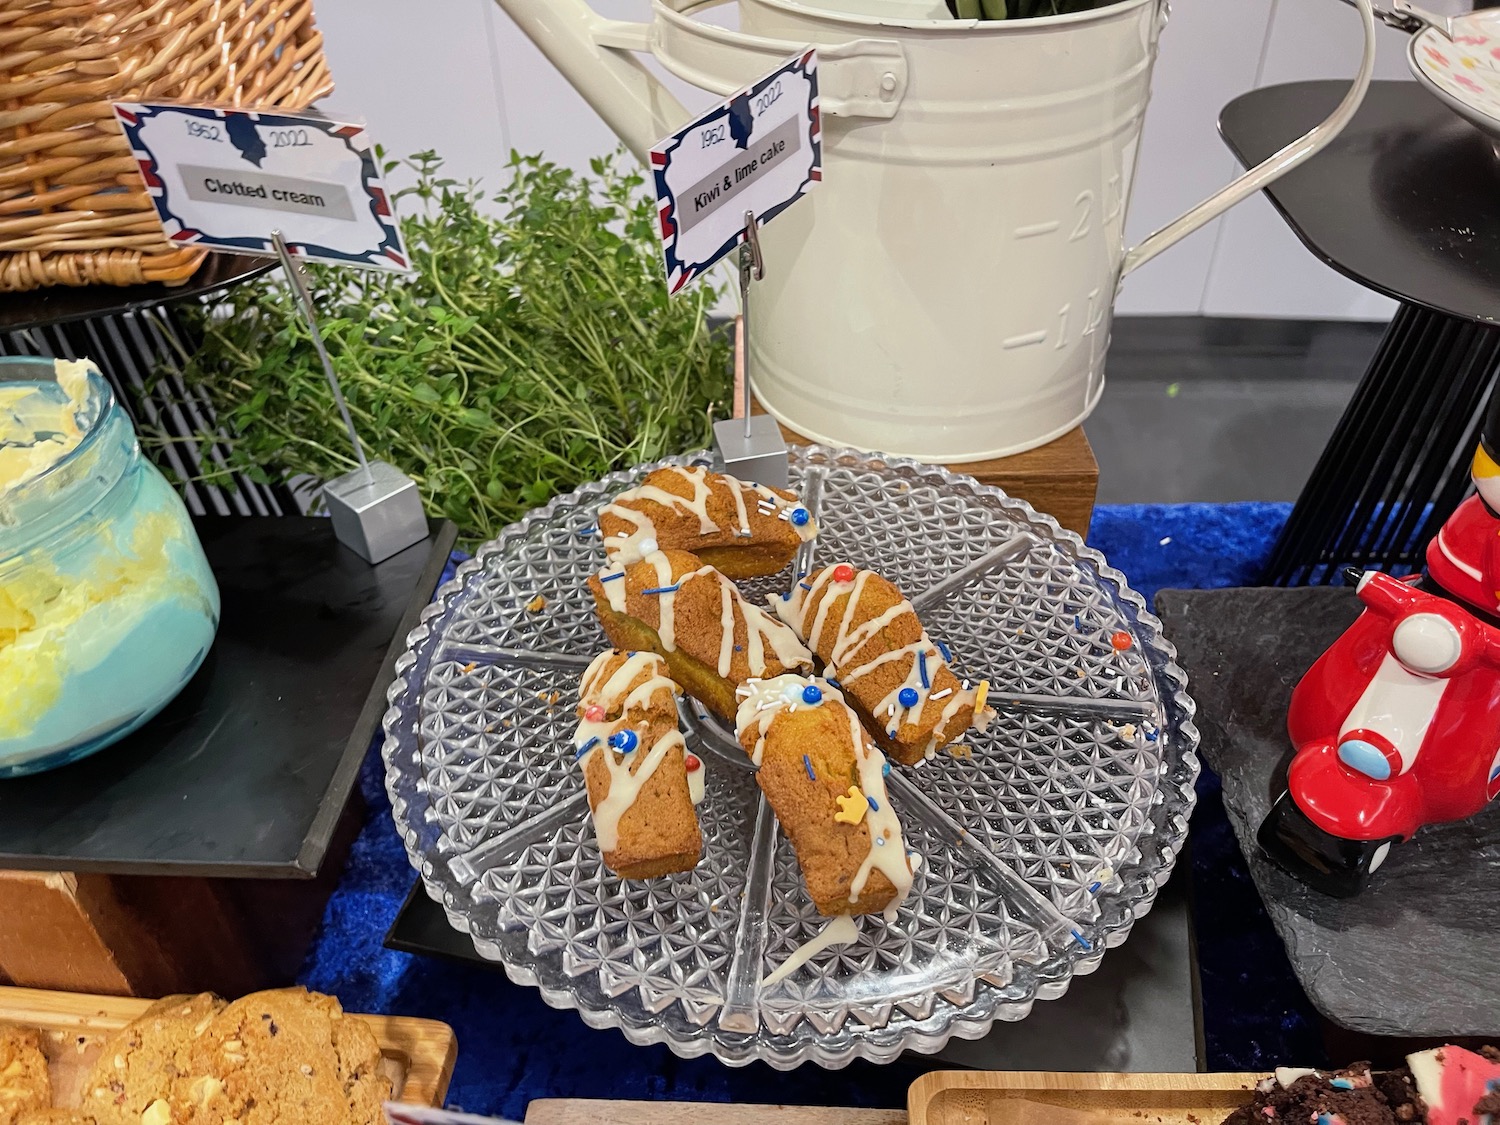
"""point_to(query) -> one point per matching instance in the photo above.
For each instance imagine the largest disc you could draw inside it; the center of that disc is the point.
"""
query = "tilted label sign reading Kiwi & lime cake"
(761, 151)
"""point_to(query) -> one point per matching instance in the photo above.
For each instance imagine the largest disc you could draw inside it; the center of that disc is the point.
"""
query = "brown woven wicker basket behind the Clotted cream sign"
(73, 205)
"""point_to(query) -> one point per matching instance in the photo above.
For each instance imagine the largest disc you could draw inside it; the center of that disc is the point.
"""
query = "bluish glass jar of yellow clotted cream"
(107, 604)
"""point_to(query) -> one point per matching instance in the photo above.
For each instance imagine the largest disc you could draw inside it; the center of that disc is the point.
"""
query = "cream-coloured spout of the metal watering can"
(601, 61)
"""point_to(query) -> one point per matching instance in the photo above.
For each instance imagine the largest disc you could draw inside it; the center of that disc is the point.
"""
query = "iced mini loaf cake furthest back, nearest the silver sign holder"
(740, 529)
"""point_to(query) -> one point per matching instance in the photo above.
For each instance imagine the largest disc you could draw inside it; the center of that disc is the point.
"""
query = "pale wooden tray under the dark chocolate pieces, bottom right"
(967, 1097)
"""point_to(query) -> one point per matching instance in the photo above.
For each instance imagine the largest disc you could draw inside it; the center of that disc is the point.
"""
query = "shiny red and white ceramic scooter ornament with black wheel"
(1399, 724)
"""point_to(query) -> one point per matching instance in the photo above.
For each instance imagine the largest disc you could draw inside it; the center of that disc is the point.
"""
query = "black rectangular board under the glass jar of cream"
(245, 775)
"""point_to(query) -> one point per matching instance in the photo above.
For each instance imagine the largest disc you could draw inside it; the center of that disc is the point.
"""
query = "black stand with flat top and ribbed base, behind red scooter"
(1405, 203)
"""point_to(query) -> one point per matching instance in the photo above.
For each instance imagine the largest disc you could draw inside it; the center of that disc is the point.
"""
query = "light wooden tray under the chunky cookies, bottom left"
(418, 1055)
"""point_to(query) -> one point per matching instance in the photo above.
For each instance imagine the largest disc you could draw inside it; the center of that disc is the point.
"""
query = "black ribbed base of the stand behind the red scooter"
(1399, 461)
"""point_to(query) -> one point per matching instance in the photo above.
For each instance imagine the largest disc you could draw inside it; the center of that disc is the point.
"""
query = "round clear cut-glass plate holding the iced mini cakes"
(1043, 839)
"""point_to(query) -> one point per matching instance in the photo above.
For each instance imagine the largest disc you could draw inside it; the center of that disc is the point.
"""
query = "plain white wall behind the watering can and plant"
(457, 76)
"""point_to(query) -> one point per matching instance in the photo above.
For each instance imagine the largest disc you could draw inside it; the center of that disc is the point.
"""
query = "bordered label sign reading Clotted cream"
(226, 179)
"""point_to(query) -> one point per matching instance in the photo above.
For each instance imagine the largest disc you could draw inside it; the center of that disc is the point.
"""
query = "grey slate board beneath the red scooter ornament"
(1417, 955)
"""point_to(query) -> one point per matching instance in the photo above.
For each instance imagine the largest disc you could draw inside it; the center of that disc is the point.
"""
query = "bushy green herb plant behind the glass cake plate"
(533, 349)
